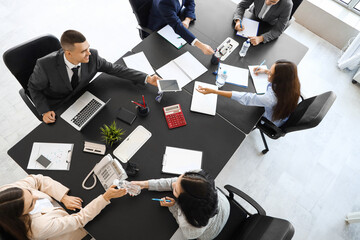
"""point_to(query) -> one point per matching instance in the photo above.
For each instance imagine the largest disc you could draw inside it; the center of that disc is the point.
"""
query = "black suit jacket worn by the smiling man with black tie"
(49, 85)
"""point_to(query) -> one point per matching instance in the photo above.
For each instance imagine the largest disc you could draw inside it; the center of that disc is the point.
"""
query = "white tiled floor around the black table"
(310, 178)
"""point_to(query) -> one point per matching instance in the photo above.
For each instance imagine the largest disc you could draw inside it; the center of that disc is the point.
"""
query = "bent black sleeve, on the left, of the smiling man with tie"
(37, 83)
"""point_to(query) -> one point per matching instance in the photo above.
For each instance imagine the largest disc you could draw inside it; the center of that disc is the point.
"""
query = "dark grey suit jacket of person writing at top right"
(278, 15)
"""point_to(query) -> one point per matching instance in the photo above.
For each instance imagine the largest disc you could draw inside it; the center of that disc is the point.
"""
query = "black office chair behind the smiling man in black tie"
(21, 61)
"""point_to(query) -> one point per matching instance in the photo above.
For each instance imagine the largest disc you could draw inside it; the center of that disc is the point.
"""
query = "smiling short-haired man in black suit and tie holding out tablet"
(63, 73)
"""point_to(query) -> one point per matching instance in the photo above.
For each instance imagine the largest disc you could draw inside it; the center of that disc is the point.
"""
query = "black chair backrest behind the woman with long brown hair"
(309, 113)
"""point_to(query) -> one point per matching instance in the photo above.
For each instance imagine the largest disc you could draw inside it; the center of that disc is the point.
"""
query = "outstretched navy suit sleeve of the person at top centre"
(168, 12)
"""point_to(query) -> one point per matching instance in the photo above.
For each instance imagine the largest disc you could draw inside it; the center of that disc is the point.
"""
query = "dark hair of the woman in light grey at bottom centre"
(199, 199)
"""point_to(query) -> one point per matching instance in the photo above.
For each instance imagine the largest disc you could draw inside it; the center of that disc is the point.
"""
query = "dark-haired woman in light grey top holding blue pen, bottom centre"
(200, 210)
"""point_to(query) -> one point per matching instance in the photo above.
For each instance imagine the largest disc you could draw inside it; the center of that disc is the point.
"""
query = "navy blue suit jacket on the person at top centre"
(165, 12)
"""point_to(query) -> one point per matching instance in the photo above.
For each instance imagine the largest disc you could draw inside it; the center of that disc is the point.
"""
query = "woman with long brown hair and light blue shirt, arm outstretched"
(281, 97)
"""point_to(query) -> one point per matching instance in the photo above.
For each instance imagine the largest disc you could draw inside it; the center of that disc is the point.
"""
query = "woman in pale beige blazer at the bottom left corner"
(28, 209)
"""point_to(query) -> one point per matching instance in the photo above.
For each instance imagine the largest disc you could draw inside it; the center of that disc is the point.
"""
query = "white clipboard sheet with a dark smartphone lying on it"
(58, 153)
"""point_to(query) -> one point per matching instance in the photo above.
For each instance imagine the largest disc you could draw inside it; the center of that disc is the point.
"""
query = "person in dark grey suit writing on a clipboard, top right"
(275, 12)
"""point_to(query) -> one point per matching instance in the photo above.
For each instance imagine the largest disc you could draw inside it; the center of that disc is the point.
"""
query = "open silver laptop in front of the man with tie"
(83, 110)
